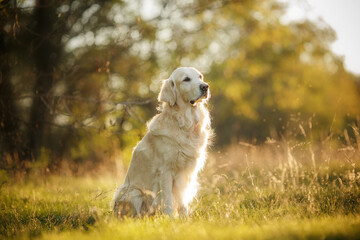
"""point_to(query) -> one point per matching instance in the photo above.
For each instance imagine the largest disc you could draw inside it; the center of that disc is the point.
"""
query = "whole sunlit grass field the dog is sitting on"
(277, 191)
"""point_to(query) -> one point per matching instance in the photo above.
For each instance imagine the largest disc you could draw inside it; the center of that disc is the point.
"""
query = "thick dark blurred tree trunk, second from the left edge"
(46, 53)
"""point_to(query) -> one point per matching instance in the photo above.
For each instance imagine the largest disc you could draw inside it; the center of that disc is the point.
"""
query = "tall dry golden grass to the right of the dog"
(281, 178)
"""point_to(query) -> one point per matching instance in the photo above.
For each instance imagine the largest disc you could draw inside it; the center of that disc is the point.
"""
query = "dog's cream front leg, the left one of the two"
(166, 193)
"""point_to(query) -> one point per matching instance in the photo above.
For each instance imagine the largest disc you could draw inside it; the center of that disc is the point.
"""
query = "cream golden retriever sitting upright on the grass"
(165, 163)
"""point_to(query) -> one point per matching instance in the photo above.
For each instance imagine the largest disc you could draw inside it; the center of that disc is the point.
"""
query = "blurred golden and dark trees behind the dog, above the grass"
(79, 79)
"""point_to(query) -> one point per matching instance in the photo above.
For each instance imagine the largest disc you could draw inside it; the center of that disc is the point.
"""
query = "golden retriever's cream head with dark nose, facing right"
(185, 85)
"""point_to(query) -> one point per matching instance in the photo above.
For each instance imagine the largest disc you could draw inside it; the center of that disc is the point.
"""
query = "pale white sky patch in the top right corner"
(343, 16)
